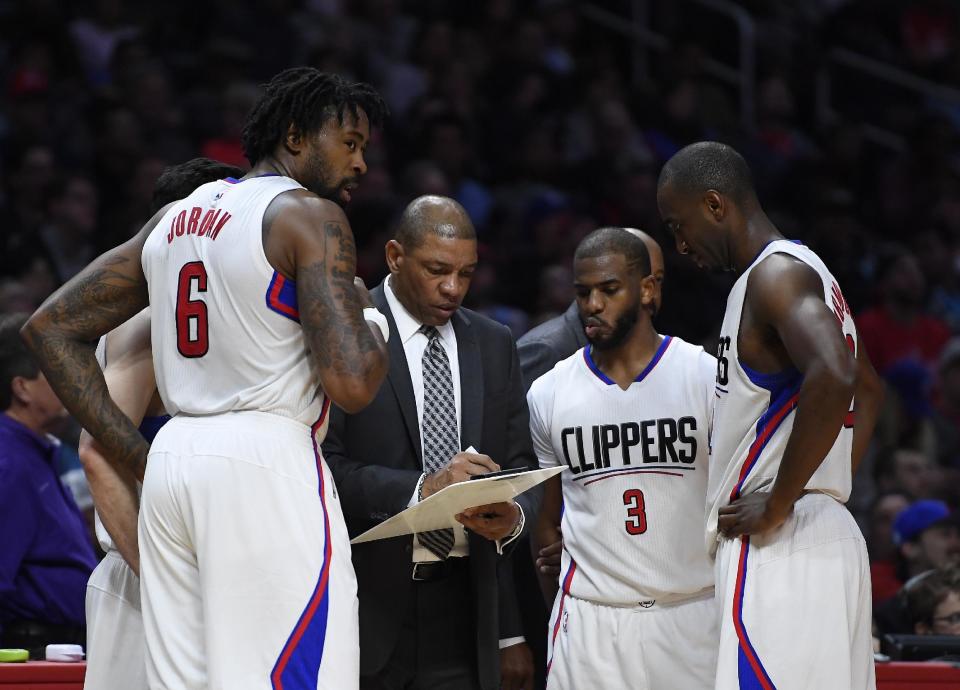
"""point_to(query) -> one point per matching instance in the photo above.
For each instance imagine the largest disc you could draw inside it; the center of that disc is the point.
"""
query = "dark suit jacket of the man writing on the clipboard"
(376, 460)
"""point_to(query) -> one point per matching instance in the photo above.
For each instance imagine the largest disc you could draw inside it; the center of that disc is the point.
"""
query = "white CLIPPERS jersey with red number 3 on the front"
(635, 494)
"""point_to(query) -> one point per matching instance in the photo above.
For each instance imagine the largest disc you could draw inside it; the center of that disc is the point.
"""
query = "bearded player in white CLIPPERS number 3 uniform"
(629, 416)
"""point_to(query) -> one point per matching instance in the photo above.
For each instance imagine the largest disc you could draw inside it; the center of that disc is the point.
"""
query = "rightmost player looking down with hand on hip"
(796, 404)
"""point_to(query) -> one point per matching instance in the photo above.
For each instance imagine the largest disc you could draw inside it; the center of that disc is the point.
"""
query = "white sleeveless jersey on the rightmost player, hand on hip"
(753, 414)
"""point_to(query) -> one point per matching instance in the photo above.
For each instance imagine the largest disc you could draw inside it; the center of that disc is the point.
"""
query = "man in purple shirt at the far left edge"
(46, 556)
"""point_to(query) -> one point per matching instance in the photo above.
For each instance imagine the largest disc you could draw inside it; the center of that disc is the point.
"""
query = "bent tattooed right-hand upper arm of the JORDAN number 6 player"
(309, 239)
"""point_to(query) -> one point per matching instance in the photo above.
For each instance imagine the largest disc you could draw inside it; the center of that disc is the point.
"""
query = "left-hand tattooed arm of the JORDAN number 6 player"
(63, 334)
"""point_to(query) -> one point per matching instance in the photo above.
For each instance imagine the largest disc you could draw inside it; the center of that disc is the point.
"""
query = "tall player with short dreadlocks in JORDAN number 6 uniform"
(257, 326)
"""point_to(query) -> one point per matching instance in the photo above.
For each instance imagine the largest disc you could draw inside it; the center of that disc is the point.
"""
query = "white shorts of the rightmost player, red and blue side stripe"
(795, 604)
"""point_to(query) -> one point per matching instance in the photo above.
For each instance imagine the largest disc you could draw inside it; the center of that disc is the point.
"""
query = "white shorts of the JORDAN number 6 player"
(246, 575)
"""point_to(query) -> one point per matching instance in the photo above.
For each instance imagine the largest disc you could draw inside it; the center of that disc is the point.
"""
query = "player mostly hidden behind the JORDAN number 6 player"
(115, 645)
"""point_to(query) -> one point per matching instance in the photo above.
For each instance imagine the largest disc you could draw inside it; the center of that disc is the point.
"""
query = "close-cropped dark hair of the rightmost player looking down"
(706, 165)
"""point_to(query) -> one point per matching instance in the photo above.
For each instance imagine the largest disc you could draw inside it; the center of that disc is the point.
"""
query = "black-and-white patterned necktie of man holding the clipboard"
(438, 429)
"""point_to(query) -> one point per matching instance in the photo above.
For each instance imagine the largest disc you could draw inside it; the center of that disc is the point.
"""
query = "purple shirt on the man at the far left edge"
(45, 554)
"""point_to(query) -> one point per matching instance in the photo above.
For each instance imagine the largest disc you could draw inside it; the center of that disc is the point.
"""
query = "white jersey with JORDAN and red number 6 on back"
(224, 341)
